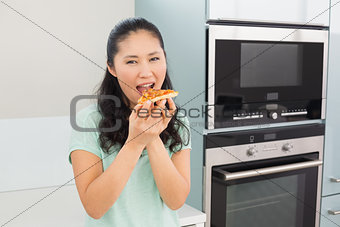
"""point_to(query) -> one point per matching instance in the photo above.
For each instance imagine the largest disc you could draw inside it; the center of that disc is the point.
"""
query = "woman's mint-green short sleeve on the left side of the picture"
(85, 140)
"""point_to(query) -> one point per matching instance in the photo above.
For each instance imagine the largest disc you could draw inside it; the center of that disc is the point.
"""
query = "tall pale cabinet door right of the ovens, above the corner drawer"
(332, 142)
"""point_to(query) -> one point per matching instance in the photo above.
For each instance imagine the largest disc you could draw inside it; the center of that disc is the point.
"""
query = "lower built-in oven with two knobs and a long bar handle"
(264, 178)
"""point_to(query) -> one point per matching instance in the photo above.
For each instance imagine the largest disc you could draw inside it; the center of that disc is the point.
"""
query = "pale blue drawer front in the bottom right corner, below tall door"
(330, 203)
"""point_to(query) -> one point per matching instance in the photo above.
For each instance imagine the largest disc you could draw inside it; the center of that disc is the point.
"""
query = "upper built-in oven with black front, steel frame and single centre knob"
(262, 73)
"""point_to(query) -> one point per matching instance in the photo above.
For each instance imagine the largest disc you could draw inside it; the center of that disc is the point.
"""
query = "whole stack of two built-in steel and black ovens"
(262, 74)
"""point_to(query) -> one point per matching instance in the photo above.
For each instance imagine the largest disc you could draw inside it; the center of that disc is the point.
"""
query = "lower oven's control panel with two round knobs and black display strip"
(249, 145)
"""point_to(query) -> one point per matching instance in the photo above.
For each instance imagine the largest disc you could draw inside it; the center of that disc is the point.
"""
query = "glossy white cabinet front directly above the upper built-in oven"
(291, 11)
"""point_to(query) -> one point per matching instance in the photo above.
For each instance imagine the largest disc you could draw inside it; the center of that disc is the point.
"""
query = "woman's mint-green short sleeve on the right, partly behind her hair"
(184, 132)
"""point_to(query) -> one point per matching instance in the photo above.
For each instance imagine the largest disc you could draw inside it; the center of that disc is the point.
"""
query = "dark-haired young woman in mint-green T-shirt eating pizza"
(139, 174)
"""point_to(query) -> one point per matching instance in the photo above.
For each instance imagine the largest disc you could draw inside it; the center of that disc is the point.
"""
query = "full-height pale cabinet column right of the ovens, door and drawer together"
(330, 206)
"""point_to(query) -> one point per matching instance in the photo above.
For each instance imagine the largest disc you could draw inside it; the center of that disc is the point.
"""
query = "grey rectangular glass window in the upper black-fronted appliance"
(271, 64)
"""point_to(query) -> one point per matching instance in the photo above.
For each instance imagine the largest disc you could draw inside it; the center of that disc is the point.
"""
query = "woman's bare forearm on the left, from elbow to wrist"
(103, 192)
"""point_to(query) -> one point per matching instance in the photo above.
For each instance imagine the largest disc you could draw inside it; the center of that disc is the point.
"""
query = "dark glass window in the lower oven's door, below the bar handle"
(266, 203)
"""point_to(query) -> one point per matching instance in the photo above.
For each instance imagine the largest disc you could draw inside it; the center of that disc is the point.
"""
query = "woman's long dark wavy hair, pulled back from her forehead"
(110, 86)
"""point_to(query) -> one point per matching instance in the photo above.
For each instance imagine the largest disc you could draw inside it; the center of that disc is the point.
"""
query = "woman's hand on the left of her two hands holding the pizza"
(144, 128)
